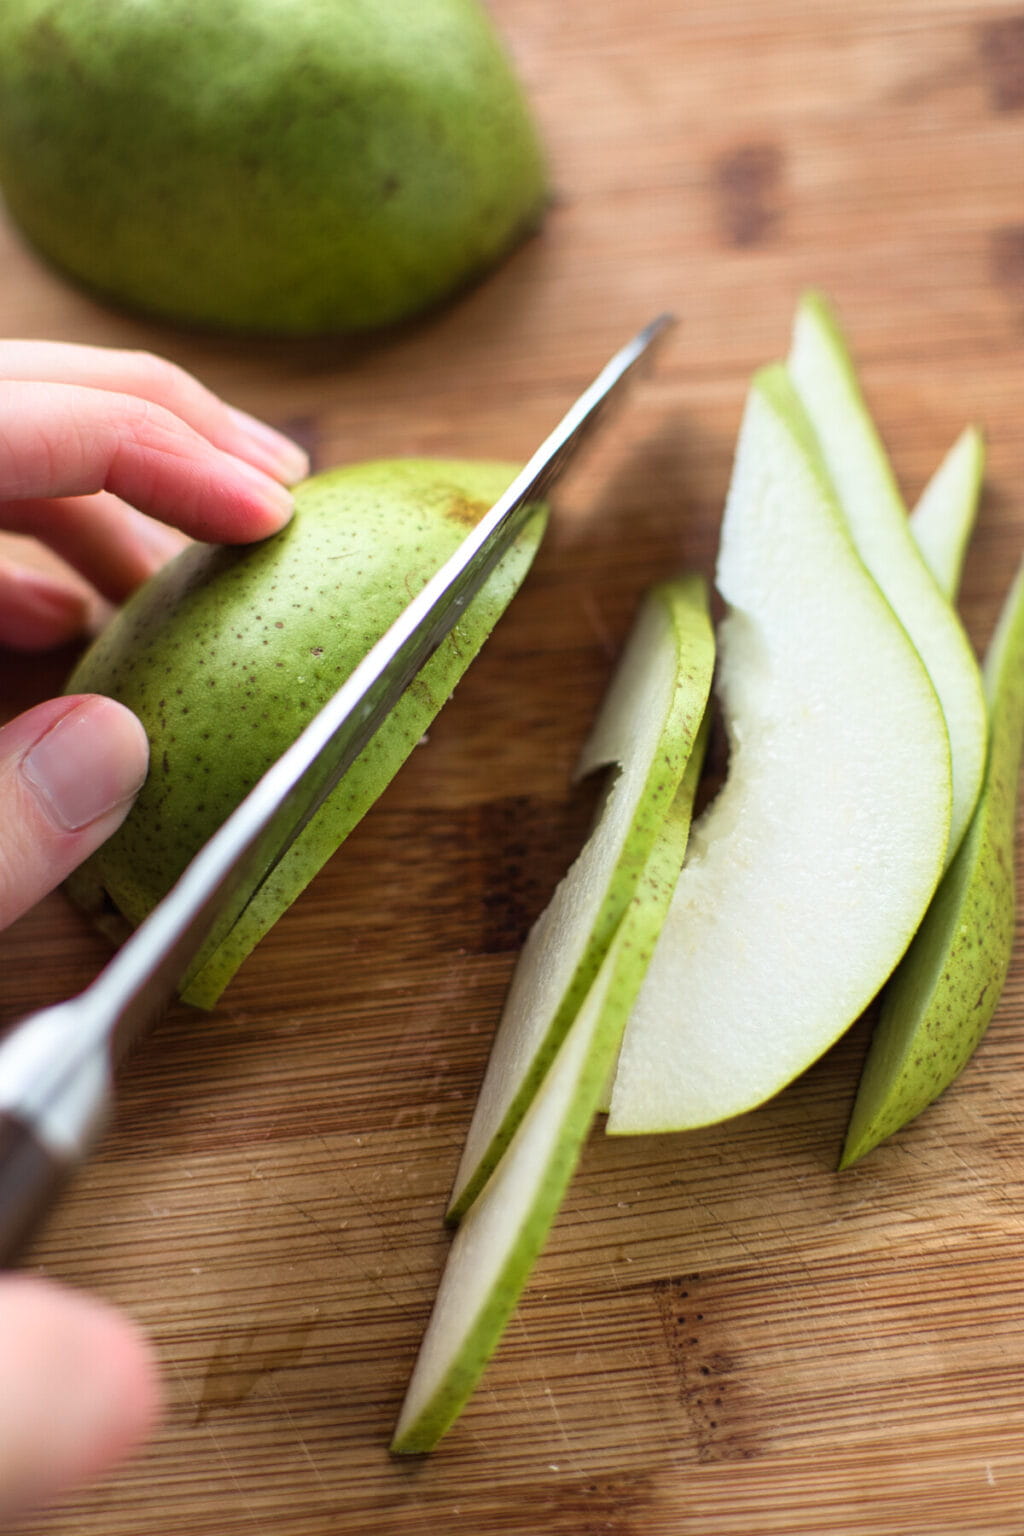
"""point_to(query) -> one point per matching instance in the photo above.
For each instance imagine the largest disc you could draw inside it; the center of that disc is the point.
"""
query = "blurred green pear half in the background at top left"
(271, 167)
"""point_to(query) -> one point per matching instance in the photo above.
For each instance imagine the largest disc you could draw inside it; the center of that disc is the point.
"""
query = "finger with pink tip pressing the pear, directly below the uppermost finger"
(64, 440)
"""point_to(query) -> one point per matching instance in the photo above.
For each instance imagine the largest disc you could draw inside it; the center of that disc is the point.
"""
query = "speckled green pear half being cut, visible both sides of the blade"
(226, 654)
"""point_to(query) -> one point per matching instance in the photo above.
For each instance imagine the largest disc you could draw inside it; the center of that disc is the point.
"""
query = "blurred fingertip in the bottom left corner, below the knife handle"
(78, 1391)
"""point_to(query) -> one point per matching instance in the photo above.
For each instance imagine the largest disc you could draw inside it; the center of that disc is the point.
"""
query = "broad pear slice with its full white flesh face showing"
(811, 870)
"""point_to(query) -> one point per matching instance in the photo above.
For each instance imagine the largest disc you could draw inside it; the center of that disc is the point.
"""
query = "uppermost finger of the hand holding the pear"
(154, 379)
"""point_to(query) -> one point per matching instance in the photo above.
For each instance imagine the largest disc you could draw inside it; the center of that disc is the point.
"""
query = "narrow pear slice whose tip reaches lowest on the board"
(504, 1231)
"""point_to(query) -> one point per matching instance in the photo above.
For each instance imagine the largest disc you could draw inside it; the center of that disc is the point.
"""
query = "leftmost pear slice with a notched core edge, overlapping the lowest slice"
(647, 726)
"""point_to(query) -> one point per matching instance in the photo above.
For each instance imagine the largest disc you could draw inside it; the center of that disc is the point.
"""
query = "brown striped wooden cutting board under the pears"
(724, 1336)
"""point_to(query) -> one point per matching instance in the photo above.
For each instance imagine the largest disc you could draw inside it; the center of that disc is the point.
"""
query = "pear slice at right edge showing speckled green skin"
(948, 987)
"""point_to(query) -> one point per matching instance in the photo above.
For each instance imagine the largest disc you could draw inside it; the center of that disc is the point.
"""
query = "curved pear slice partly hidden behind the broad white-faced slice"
(825, 379)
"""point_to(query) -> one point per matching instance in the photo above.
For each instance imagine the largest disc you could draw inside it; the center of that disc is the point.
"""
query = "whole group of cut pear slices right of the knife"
(862, 844)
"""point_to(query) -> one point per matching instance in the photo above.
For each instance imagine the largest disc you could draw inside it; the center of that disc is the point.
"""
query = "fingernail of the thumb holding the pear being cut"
(90, 763)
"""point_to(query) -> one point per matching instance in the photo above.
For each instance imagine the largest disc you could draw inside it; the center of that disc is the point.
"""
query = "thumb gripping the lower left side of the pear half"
(70, 772)
